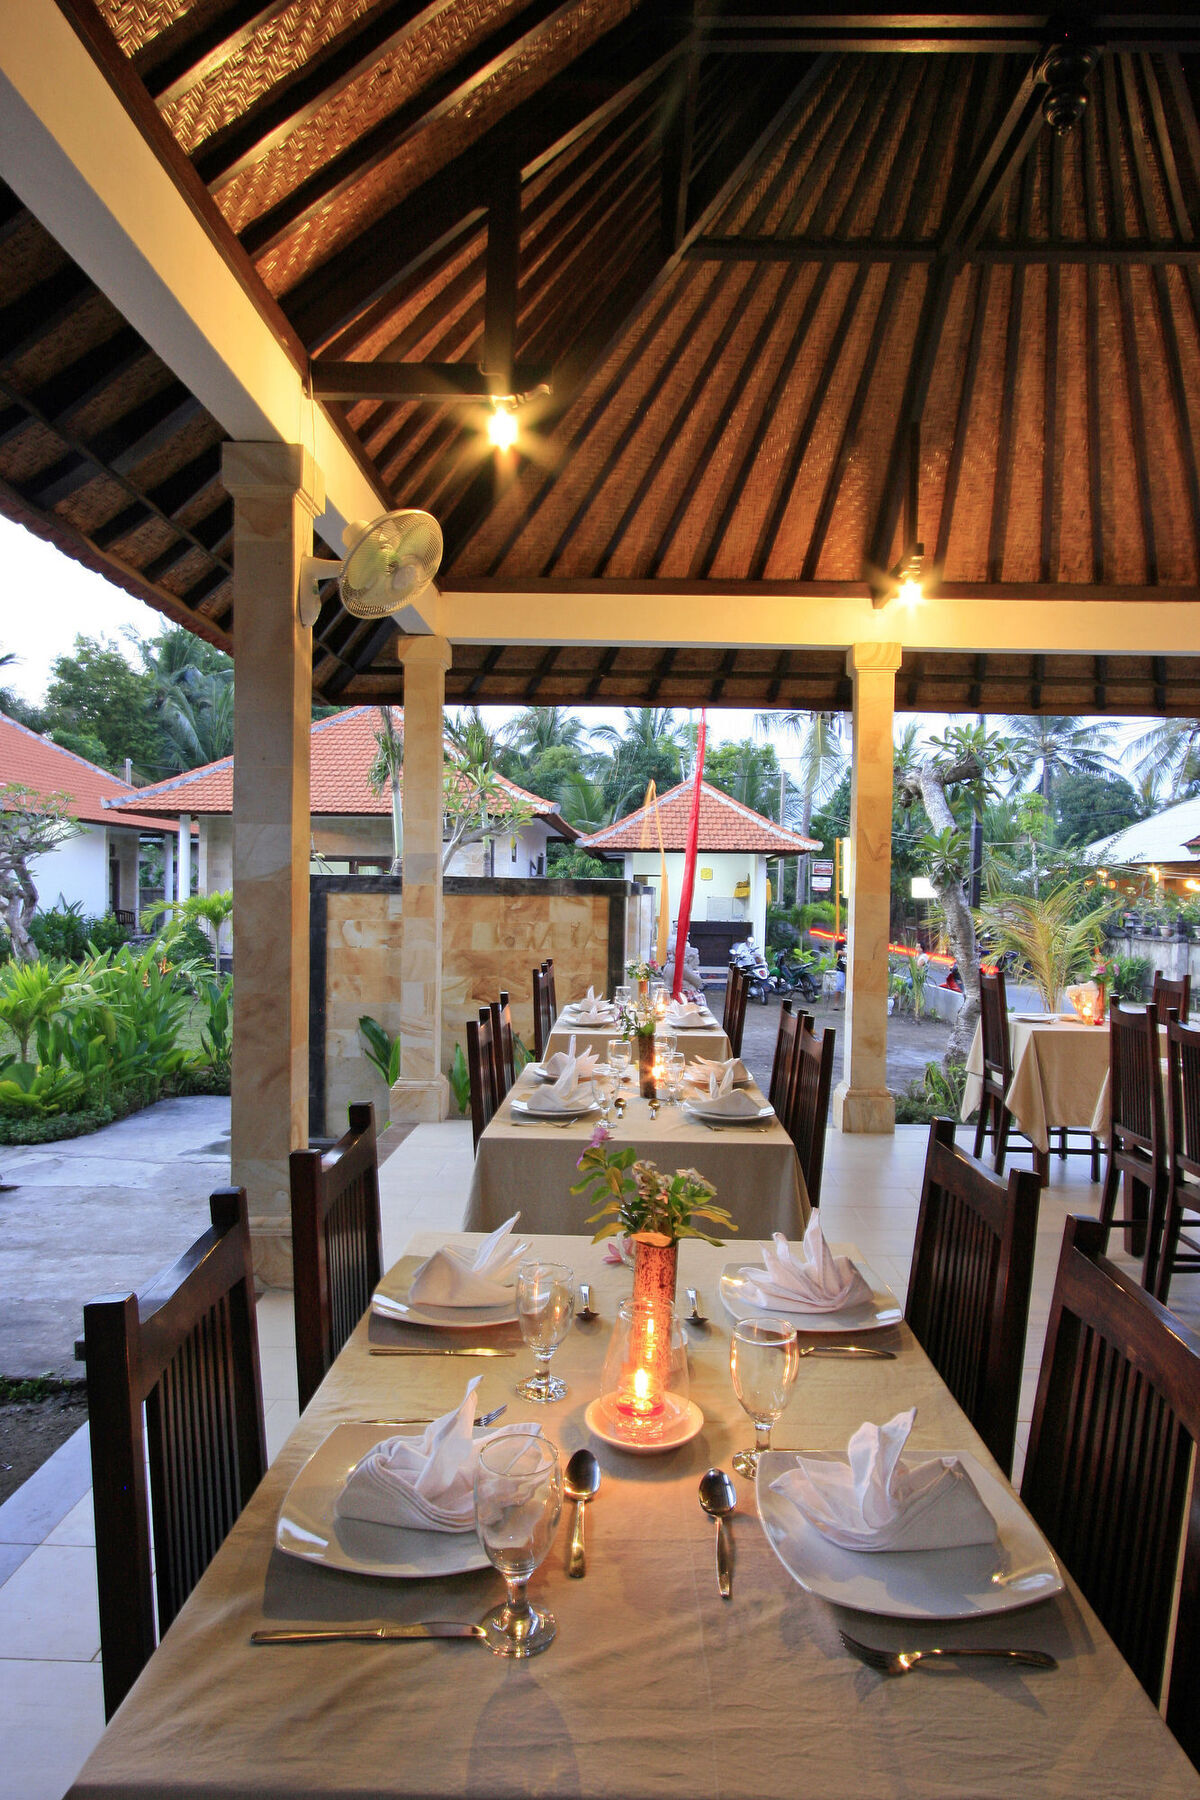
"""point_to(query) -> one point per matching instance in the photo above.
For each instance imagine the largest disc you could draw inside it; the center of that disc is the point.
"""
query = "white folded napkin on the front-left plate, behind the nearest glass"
(425, 1484)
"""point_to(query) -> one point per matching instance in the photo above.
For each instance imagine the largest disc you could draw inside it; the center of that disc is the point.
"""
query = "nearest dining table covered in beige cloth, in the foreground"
(656, 1686)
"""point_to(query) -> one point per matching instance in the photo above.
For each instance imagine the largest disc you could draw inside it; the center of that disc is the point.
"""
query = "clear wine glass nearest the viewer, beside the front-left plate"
(519, 1498)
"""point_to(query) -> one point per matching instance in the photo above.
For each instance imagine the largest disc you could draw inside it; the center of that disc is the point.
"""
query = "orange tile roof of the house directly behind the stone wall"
(341, 755)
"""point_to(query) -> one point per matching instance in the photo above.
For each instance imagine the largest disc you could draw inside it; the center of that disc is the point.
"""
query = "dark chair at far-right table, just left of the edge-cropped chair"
(1138, 1153)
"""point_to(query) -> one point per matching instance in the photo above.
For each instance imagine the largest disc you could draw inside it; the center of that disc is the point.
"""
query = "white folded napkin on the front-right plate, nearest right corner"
(877, 1502)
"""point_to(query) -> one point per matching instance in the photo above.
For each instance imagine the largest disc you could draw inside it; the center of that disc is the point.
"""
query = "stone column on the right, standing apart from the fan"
(861, 1101)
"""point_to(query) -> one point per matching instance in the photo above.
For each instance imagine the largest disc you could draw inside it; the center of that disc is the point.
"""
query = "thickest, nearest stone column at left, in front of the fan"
(276, 492)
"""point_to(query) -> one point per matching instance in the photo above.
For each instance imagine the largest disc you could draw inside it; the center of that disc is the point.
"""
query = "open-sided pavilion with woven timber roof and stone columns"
(787, 307)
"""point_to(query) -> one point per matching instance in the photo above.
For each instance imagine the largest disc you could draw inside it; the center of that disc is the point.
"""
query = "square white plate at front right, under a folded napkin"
(913, 1583)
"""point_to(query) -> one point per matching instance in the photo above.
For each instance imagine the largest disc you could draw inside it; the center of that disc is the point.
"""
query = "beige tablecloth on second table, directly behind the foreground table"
(530, 1167)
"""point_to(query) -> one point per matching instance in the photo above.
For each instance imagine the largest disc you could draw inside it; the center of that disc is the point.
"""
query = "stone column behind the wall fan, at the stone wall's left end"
(422, 1092)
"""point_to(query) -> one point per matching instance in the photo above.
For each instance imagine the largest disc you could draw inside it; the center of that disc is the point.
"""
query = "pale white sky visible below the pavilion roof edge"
(49, 600)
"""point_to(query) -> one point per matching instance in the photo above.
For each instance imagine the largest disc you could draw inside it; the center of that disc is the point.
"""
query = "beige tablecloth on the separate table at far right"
(1059, 1072)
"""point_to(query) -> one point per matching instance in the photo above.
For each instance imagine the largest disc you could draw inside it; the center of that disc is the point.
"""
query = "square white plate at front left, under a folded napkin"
(310, 1531)
